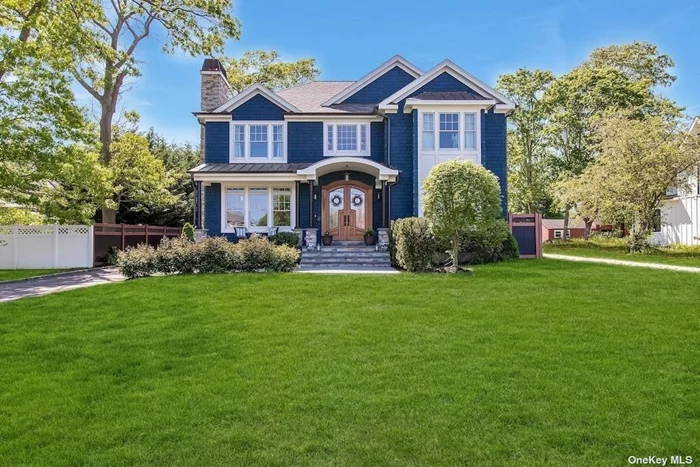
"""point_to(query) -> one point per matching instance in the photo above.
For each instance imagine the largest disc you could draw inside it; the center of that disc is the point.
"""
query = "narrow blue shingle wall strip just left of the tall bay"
(401, 158)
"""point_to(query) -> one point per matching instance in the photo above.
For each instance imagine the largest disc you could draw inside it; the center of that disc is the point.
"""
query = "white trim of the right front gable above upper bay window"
(502, 103)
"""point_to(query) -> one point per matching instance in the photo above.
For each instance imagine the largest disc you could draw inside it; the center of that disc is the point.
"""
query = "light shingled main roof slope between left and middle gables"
(309, 97)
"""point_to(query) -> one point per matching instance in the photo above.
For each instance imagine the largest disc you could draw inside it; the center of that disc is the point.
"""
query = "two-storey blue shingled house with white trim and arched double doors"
(339, 156)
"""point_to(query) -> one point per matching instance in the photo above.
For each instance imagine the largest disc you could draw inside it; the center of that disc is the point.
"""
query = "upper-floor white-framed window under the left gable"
(258, 141)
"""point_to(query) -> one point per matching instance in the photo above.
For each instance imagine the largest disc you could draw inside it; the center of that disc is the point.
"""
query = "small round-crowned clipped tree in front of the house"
(460, 197)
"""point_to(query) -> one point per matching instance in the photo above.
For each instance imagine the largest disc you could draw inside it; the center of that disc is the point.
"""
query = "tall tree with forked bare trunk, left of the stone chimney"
(112, 34)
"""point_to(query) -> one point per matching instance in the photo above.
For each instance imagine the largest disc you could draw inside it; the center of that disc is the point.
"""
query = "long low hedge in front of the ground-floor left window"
(209, 256)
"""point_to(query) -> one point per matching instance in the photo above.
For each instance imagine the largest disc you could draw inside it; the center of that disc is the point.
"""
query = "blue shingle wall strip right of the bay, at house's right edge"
(494, 150)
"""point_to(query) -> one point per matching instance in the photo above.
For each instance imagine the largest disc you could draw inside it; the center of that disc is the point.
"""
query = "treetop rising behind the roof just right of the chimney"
(266, 68)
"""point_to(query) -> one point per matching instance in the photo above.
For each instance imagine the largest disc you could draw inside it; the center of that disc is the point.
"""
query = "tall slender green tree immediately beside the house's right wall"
(528, 170)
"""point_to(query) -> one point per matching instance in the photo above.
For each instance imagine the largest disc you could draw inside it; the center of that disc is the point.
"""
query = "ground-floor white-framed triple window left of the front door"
(257, 207)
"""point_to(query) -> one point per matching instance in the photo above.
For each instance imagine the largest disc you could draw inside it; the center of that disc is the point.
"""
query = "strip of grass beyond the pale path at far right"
(614, 252)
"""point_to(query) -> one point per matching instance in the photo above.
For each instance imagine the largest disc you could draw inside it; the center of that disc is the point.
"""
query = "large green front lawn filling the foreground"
(523, 363)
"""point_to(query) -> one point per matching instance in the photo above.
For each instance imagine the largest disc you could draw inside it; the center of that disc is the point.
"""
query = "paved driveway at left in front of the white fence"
(58, 283)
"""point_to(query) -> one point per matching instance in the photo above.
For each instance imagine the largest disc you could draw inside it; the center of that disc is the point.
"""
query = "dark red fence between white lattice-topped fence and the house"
(121, 236)
